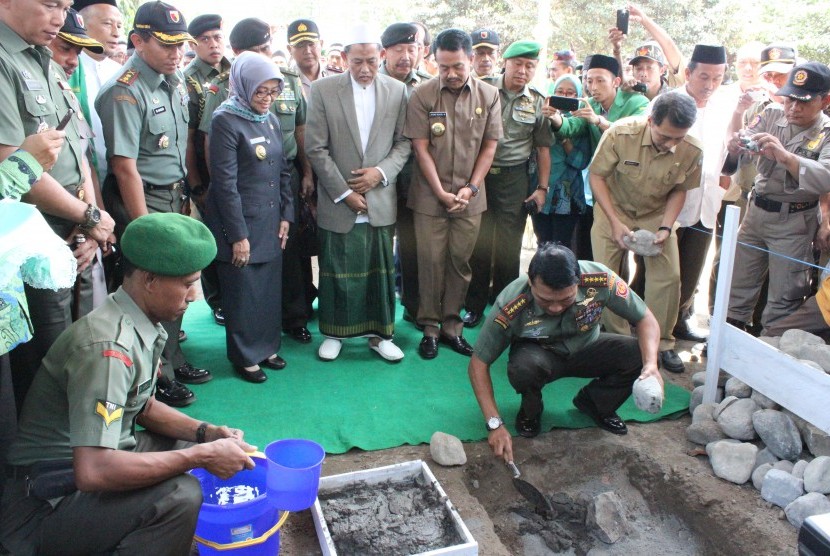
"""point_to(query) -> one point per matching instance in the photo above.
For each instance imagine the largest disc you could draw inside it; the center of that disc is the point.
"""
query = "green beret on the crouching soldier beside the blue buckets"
(169, 244)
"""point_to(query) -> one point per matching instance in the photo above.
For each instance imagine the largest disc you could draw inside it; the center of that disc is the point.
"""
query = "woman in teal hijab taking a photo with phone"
(565, 205)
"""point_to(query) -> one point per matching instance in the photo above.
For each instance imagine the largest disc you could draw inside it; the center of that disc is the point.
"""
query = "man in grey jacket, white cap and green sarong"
(355, 142)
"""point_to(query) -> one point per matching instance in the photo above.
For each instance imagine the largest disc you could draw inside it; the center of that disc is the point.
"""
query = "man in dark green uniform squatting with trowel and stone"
(550, 320)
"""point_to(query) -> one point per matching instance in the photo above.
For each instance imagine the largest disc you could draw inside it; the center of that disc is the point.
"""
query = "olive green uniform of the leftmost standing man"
(35, 95)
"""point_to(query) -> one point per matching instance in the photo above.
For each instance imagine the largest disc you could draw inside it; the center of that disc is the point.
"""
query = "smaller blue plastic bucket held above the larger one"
(293, 473)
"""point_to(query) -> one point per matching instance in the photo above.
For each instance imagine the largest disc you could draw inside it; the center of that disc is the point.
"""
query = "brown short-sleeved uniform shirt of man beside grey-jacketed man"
(456, 126)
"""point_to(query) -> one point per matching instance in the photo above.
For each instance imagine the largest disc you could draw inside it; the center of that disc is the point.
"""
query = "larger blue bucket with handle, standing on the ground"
(249, 527)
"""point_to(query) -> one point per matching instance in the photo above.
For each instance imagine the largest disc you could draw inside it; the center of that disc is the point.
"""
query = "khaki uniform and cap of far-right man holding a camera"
(783, 213)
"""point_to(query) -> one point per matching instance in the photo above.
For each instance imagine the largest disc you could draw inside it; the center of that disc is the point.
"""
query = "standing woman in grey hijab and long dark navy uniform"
(248, 209)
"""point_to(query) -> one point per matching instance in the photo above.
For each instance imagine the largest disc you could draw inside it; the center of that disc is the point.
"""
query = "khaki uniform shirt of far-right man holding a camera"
(811, 145)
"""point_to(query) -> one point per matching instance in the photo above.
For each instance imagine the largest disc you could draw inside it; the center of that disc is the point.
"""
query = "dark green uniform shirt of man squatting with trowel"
(516, 316)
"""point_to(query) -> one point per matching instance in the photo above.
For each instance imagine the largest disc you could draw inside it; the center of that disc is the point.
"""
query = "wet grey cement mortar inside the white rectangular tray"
(392, 517)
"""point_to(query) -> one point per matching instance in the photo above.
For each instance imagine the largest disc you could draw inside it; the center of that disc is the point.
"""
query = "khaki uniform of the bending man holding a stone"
(639, 181)
